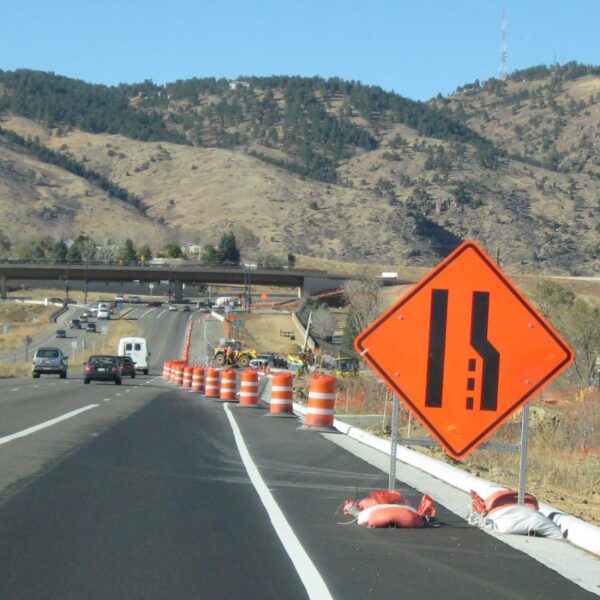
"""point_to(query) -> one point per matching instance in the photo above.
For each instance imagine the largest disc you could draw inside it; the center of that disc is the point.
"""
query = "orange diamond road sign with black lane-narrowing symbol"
(464, 349)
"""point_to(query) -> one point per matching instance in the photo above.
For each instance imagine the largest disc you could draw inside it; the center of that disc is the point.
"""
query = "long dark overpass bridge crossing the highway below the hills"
(306, 281)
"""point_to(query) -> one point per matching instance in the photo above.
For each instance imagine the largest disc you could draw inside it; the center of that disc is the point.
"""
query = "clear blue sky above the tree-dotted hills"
(415, 48)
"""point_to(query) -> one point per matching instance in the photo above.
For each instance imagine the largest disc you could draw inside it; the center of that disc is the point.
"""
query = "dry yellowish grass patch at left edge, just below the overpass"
(24, 320)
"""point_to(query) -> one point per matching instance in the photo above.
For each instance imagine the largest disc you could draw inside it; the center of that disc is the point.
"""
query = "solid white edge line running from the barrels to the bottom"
(310, 577)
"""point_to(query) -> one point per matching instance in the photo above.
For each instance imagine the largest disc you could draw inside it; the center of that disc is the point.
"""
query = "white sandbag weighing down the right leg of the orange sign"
(519, 520)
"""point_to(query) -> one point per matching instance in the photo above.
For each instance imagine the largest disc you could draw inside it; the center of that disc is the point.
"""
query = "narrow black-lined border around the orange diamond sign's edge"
(390, 312)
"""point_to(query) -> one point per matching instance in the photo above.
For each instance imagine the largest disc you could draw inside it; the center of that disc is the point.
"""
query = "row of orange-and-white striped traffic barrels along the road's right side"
(223, 386)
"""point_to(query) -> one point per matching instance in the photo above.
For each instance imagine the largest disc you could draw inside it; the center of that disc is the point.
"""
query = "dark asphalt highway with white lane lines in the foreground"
(153, 492)
